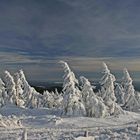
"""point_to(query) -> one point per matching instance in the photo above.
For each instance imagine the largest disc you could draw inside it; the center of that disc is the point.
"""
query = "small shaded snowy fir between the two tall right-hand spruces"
(119, 93)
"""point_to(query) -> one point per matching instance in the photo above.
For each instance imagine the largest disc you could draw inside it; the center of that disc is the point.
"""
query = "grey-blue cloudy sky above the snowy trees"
(36, 34)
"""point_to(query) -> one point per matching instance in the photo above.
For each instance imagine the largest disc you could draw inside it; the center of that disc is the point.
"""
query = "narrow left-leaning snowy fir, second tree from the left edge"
(10, 88)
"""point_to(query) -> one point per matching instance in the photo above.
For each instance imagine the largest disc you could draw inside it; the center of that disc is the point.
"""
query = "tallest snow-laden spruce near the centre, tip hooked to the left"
(72, 99)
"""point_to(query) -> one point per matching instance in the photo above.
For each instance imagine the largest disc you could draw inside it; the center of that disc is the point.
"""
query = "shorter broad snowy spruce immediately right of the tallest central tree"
(93, 104)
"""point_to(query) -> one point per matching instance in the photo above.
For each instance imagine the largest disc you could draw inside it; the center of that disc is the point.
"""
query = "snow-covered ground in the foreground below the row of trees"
(42, 124)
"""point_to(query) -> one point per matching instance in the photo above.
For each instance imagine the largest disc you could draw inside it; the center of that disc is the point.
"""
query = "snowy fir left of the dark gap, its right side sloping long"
(32, 99)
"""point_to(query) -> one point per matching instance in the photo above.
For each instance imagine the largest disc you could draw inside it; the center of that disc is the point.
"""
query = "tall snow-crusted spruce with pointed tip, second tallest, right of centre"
(107, 91)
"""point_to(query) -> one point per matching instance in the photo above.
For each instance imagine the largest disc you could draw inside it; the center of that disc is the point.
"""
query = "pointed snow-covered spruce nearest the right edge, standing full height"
(130, 101)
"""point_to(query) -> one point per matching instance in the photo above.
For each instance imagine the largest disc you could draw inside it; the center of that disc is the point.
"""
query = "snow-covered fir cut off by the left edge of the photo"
(3, 94)
